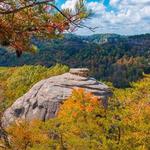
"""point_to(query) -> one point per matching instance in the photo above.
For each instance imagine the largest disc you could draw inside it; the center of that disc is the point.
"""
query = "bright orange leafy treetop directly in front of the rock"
(80, 101)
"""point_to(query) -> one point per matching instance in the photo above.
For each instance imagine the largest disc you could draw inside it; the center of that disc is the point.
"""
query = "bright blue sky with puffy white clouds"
(126, 17)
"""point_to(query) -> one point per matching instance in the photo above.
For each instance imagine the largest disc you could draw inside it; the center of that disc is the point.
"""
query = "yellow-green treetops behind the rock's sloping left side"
(16, 81)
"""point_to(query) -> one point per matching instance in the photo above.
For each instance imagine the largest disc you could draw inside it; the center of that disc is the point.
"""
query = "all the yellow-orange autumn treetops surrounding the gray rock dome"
(82, 122)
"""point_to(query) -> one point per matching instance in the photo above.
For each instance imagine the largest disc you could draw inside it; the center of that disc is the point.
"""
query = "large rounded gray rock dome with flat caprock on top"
(44, 98)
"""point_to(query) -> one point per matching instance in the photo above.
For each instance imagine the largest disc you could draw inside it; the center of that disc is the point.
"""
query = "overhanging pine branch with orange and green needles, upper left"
(21, 20)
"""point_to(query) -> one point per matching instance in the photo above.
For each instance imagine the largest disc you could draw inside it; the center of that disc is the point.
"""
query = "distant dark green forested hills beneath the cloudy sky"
(110, 57)
